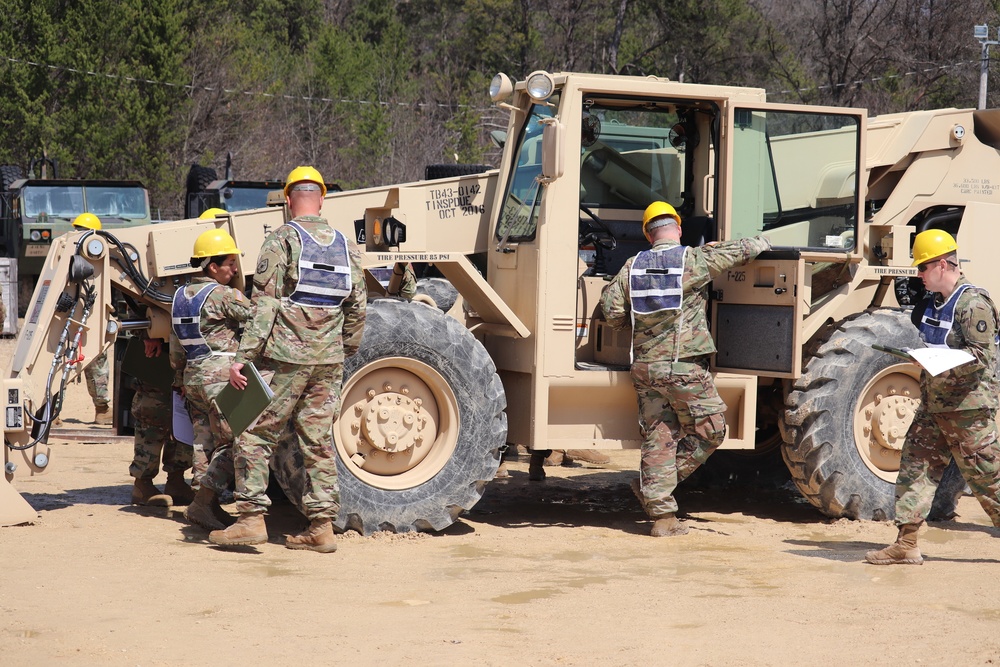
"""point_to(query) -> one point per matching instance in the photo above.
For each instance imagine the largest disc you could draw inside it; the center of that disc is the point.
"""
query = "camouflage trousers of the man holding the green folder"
(306, 401)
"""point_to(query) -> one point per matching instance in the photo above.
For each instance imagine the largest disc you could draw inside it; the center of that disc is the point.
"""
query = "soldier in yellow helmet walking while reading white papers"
(957, 413)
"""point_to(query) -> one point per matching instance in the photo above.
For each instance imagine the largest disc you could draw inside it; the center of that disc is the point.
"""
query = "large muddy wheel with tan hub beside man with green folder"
(422, 421)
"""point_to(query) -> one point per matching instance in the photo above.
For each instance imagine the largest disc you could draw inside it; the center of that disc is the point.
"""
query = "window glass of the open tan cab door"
(795, 177)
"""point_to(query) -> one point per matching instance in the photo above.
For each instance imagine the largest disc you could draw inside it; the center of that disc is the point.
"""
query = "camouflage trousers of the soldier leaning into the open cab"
(682, 422)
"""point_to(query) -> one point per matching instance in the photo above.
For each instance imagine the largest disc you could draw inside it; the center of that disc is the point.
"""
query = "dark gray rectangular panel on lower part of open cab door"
(754, 337)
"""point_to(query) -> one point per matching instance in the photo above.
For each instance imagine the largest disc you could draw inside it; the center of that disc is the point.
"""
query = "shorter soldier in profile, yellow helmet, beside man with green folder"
(207, 315)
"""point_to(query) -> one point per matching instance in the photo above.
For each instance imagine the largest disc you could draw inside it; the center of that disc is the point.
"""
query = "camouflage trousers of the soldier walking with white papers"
(970, 436)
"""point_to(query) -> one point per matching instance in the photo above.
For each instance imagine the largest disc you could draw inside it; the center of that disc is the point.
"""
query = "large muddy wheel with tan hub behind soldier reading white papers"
(846, 419)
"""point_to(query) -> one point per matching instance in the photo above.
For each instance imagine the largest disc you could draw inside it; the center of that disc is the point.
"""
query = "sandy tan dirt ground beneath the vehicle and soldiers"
(561, 572)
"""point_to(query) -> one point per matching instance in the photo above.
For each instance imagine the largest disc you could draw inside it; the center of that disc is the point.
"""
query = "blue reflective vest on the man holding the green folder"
(324, 271)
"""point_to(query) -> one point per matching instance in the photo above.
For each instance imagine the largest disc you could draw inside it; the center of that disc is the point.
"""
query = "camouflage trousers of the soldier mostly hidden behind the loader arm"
(152, 410)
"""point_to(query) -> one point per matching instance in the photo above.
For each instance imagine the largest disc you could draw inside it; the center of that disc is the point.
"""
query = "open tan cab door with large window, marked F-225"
(791, 173)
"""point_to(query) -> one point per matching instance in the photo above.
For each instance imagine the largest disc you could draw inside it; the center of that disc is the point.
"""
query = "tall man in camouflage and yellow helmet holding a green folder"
(308, 313)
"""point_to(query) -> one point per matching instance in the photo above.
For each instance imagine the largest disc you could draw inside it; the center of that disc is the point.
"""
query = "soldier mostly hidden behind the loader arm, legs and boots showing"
(152, 409)
